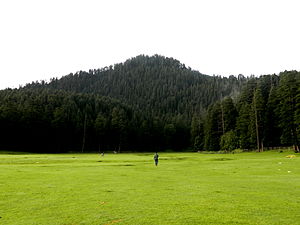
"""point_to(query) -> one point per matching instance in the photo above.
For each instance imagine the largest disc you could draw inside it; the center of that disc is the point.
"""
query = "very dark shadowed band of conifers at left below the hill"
(60, 121)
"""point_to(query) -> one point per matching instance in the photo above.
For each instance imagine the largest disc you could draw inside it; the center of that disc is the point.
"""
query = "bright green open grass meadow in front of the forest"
(185, 188)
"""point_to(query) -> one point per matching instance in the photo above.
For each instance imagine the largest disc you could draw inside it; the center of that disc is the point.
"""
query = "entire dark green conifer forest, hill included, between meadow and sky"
(151, 103)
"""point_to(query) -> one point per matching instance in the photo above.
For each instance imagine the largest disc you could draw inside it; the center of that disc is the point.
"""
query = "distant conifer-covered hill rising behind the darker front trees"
(155, 86)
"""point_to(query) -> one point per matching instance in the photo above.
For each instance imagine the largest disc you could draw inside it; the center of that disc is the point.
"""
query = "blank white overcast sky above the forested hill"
(40, 39)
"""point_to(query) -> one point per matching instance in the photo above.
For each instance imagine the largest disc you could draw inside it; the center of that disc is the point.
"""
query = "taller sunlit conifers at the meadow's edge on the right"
(265, 114)
